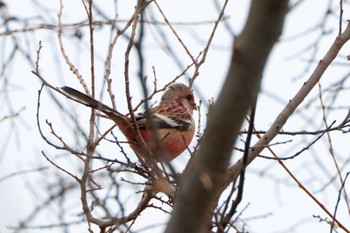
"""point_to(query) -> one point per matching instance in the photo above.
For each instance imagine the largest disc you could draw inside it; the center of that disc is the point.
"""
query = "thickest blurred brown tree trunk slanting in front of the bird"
(206, 172)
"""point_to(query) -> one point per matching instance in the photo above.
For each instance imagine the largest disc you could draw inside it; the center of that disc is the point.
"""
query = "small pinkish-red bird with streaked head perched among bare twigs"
(171, 120)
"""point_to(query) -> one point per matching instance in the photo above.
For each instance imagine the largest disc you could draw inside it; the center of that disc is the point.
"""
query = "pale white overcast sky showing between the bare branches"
(271, 193)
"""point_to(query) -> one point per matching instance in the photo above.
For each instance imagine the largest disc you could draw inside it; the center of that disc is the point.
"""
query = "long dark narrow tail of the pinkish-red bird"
(92, 103)
